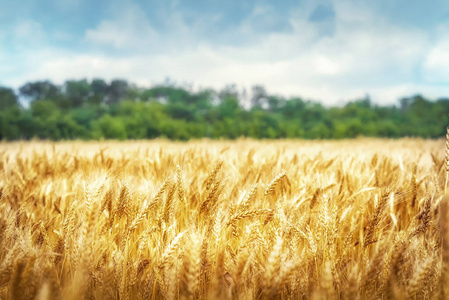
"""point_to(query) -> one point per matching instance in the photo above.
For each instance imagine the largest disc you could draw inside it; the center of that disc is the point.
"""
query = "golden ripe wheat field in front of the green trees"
(241, 219)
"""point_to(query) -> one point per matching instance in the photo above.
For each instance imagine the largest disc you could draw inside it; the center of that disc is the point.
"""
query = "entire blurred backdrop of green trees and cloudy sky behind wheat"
(78, 69)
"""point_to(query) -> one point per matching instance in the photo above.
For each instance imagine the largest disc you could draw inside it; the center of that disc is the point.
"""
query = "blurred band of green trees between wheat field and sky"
(96, 109)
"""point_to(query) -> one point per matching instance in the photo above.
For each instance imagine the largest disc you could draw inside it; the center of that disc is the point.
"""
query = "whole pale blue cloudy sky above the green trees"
(331, 51)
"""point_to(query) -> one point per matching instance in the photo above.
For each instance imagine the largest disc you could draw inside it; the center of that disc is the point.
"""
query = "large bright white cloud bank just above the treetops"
(366, 54)
